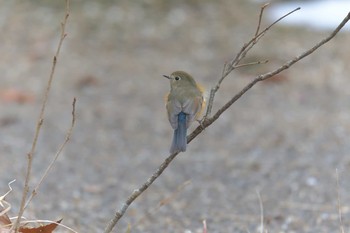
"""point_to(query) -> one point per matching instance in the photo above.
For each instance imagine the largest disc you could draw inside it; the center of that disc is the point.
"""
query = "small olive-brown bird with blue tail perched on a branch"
(184, 104)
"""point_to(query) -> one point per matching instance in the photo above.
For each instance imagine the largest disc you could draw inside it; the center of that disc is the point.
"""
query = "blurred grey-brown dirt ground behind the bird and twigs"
(285, 138)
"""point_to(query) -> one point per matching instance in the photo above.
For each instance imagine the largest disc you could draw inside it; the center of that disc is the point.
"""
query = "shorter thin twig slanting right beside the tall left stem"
(48, 169)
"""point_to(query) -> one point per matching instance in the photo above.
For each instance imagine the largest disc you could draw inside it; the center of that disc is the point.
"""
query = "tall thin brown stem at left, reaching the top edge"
(41, 119)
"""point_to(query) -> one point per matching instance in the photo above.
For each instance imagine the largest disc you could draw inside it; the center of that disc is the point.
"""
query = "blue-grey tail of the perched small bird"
(179, 139)
